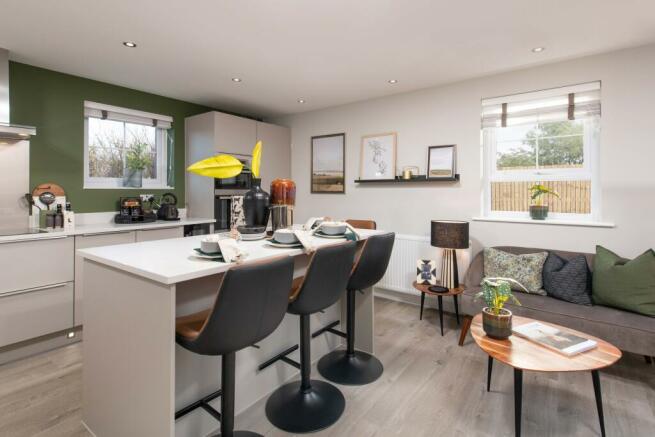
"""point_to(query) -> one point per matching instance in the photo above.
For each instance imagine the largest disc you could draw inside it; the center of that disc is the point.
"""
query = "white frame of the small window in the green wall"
(161, 144)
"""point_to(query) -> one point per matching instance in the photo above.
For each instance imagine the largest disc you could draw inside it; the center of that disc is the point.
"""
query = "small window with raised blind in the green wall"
(124, 147)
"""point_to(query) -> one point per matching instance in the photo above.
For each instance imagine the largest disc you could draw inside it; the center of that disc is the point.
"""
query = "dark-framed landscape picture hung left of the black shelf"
(328, 163)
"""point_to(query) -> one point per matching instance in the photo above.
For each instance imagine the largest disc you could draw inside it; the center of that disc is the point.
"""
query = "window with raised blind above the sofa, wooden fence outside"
(549, 137)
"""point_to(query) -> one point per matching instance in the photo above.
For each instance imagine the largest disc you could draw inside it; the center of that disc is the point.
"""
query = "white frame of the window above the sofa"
(589, 171)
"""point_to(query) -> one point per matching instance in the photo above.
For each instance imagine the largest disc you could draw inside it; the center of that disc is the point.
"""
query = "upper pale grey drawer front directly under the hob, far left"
(34, 263)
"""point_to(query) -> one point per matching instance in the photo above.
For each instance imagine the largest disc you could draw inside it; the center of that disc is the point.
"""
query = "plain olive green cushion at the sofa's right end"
(622, 283)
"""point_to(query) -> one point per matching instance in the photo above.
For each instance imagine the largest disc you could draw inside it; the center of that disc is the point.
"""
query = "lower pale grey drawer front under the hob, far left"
(26, 314)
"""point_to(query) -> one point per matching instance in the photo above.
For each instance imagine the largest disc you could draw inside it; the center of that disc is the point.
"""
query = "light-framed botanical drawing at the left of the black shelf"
(378, 157)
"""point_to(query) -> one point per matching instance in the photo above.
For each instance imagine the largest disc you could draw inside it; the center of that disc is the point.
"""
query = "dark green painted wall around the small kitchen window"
(54, 103)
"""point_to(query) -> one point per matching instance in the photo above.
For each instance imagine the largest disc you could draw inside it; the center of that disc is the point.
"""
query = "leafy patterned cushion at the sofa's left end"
(526, 269)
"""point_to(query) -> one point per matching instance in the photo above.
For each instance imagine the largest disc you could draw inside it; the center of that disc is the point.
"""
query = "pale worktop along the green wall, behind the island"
(104, 228)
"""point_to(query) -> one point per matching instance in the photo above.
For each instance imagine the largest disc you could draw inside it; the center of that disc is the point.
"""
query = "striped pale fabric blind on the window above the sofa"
(567, 103)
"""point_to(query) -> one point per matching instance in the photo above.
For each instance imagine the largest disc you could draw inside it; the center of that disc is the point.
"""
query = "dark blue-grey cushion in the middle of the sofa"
(568, 280)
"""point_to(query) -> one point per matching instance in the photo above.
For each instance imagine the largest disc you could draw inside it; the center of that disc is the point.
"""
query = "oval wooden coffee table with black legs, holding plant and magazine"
(523, 354)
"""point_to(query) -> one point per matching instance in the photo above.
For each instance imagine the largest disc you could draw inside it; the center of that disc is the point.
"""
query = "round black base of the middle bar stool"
(295, 411)
